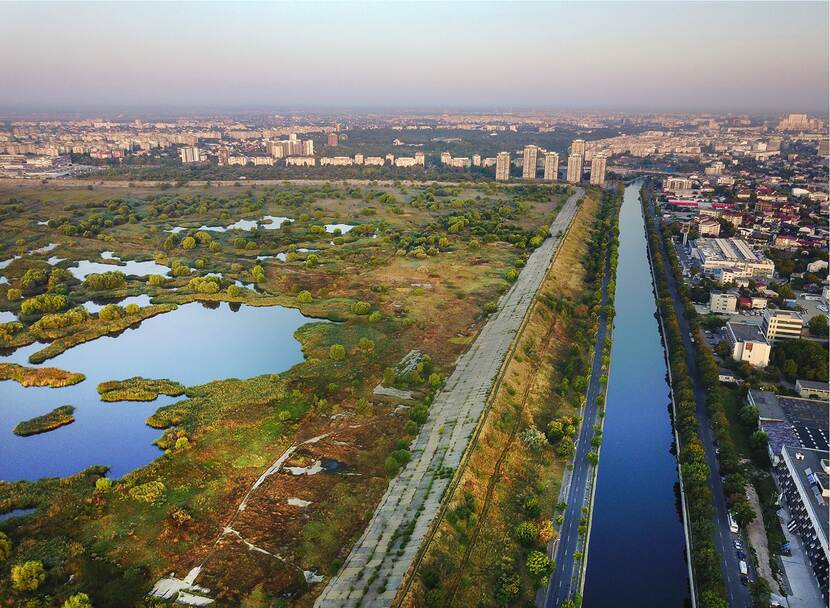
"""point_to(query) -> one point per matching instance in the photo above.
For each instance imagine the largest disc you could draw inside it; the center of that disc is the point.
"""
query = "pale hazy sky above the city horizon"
(747, 56)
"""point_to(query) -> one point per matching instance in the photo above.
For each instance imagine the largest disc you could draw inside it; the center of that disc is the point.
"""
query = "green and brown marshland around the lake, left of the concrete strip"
(418, 272)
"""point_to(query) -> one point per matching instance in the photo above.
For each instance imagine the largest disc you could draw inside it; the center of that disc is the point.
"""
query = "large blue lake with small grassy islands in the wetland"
(193, 345)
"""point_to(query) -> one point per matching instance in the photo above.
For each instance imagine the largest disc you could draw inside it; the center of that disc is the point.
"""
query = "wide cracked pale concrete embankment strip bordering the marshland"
(377, 563)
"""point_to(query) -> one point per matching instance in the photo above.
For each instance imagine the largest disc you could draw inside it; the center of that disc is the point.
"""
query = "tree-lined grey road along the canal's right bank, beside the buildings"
(737, 595)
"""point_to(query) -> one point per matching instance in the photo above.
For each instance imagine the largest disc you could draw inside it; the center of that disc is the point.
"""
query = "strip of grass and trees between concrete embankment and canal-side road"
(489, 544)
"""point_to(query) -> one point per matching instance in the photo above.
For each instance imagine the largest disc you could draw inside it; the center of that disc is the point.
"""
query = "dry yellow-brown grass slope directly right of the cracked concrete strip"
(498, 468)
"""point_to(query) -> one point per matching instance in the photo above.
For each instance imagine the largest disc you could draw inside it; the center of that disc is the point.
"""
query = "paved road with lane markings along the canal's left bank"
(564, 580)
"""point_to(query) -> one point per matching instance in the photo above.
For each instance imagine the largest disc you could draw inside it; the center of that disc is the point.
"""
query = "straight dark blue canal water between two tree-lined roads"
(637, 545)
